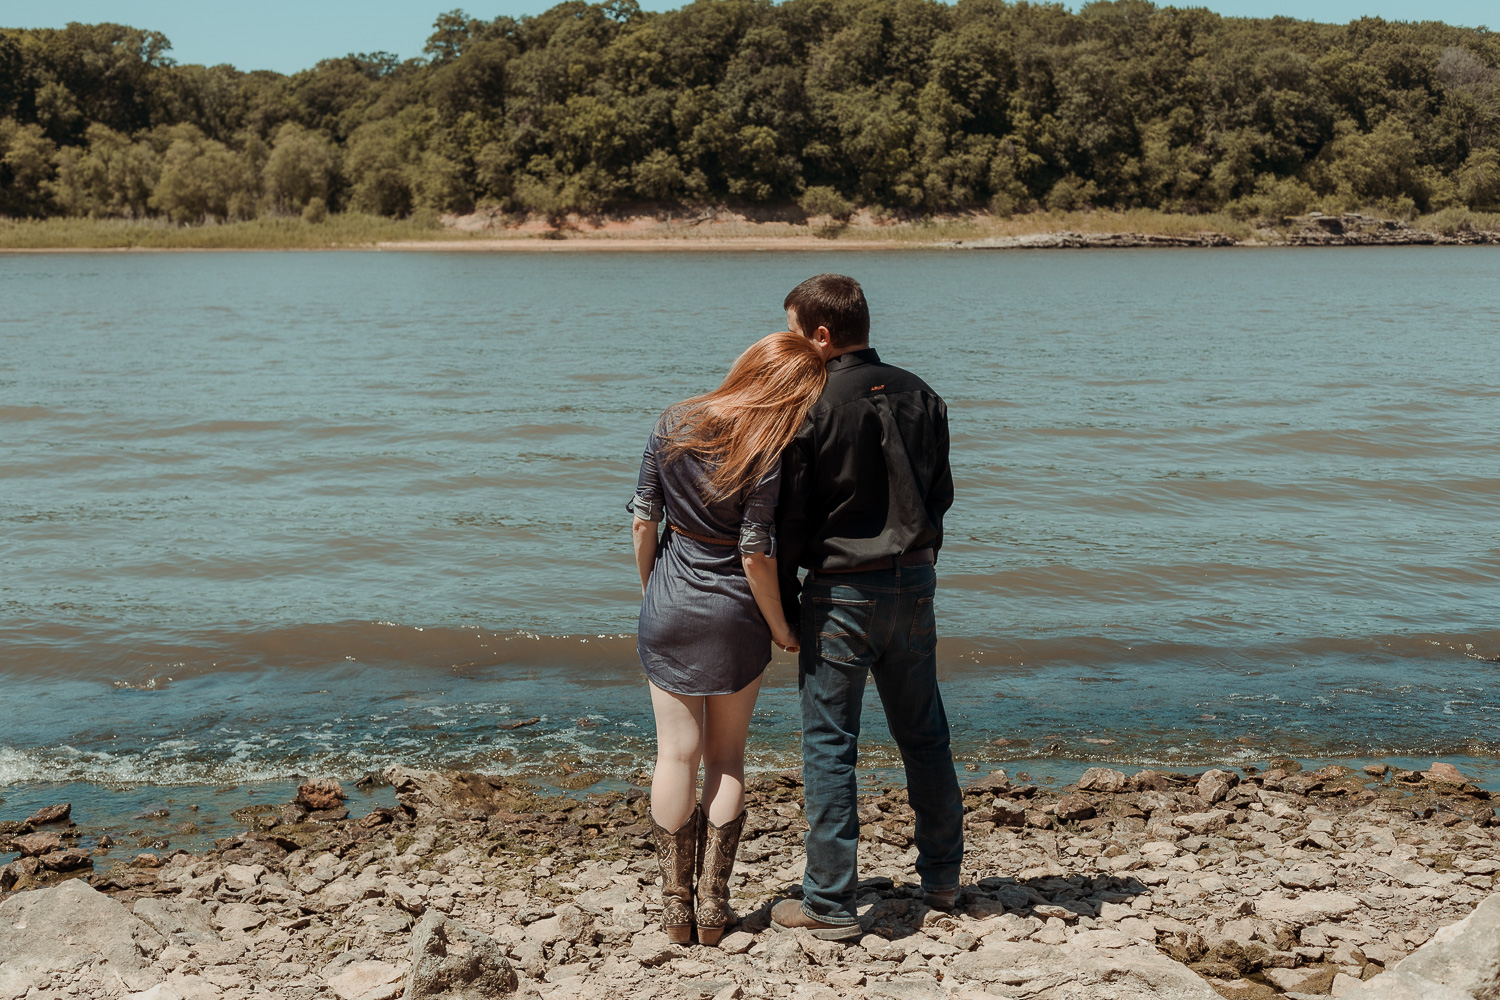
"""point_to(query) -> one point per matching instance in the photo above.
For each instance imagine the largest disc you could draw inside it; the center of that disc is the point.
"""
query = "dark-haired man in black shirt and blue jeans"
(865, 488)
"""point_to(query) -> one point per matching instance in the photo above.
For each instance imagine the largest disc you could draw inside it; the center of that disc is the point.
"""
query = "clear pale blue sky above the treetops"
(292, 35)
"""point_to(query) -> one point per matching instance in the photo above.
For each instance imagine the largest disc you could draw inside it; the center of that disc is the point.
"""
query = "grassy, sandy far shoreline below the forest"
(485, 233)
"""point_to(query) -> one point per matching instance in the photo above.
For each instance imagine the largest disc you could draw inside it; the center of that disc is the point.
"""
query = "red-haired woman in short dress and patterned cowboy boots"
(712, 609)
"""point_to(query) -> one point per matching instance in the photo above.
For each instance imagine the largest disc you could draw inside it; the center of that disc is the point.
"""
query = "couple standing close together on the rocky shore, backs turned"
(812, 454)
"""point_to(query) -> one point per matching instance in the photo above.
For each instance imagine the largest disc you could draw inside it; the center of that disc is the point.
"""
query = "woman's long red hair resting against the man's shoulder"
(742, 428)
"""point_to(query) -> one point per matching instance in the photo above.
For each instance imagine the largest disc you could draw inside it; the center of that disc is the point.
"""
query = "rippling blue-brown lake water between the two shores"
(266, 515)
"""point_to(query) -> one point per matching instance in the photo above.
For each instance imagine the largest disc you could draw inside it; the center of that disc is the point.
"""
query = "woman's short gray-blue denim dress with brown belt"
(701, 630)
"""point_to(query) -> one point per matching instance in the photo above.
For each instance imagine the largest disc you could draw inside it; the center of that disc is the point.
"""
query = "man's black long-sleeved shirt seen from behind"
(868, 476)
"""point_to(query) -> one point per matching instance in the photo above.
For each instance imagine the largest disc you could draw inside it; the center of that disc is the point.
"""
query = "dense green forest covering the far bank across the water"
(898, 106)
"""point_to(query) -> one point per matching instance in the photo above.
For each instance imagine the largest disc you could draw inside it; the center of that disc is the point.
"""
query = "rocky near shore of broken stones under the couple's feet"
(1187, 887)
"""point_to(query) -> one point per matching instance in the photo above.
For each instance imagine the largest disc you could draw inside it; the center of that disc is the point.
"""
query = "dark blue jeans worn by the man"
(878, 626)
